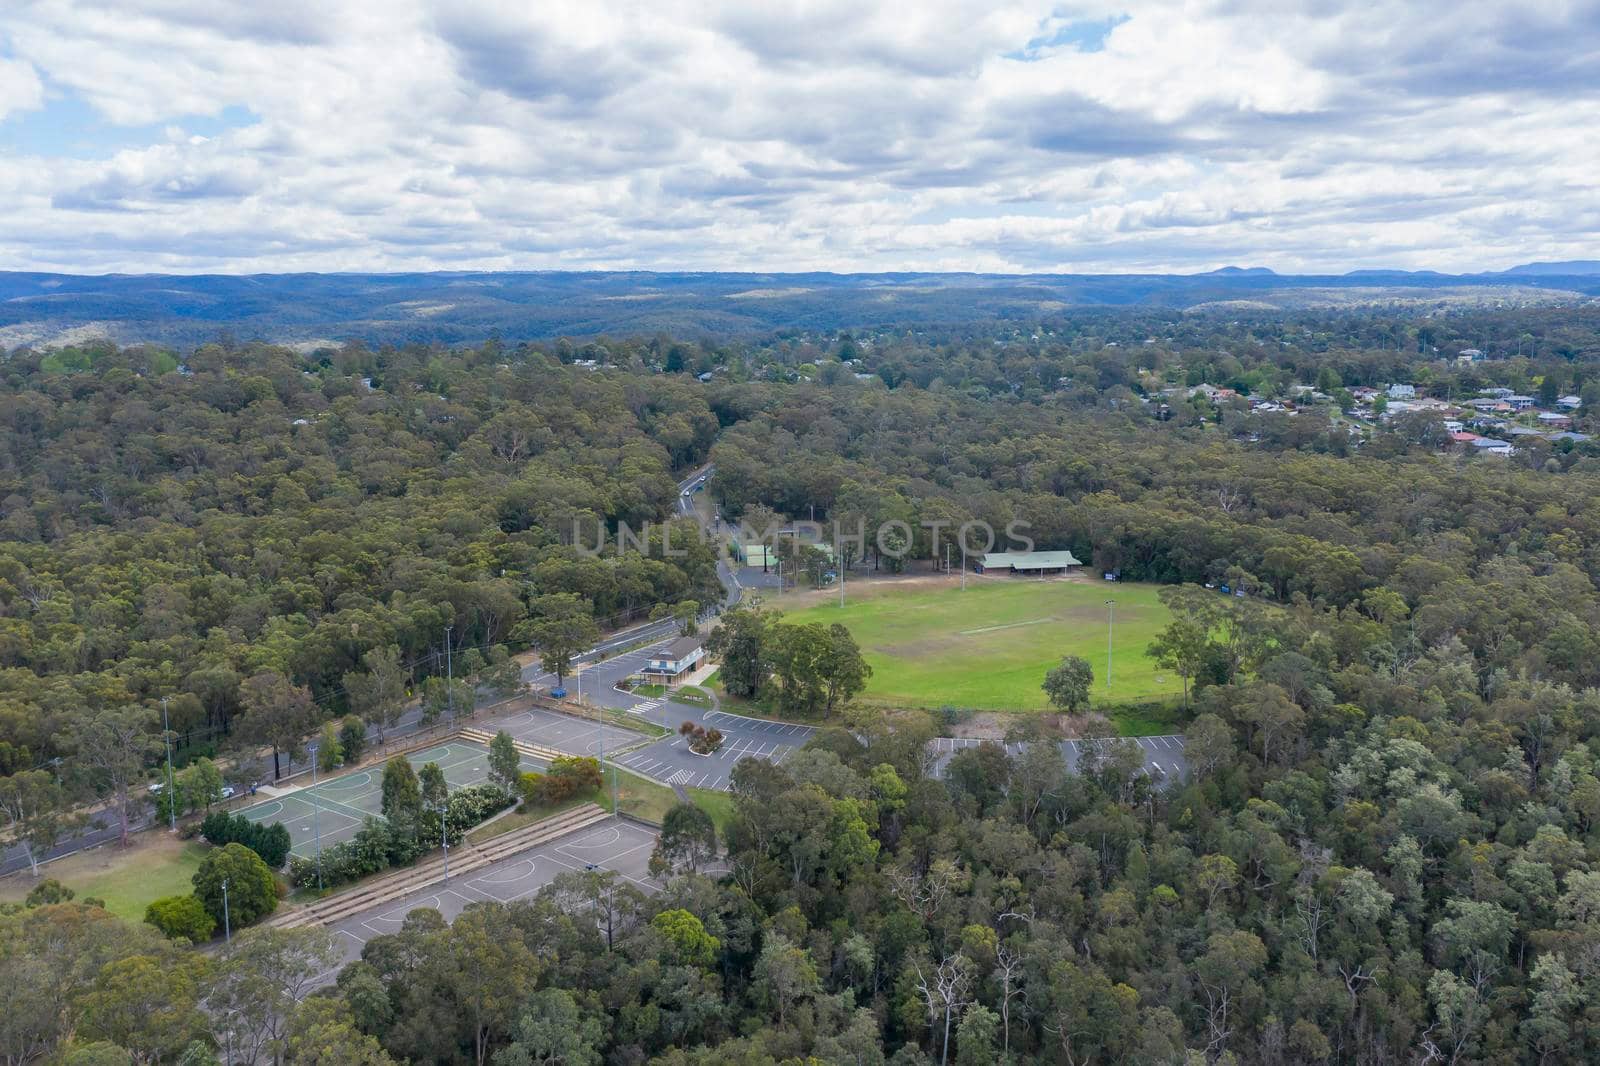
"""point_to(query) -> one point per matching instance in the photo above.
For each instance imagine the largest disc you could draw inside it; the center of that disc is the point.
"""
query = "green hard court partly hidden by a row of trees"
(338, 806)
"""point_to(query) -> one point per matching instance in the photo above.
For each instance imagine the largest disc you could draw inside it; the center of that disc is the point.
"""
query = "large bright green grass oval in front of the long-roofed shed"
(990, 647)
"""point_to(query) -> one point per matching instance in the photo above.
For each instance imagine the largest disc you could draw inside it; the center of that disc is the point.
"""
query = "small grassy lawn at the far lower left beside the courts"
(154, 865)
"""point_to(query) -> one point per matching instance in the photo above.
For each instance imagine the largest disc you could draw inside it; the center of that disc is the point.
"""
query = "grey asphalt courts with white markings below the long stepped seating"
(617, 844)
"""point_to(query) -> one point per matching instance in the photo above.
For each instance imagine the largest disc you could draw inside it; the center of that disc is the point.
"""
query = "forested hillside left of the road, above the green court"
(175, 534)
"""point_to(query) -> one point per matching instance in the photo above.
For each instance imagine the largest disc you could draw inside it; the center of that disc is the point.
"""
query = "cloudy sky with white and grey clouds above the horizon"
(846, 135)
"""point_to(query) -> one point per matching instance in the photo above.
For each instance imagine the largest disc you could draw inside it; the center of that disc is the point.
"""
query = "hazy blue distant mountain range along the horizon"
(314, 310)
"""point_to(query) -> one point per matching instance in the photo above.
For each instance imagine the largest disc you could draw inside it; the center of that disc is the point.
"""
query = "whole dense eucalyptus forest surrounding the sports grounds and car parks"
(1388, 849)
